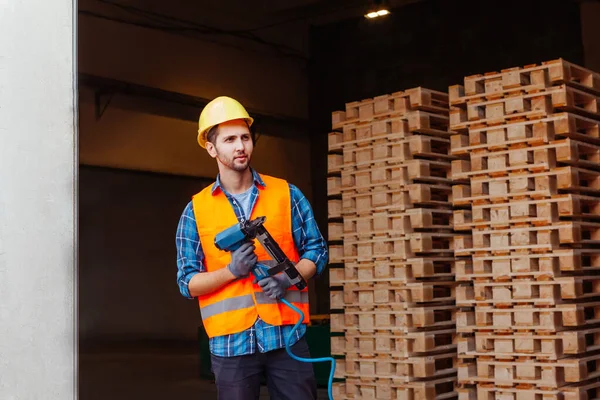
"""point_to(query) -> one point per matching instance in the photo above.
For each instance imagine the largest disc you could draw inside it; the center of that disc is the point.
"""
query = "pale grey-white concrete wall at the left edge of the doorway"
(37, 190)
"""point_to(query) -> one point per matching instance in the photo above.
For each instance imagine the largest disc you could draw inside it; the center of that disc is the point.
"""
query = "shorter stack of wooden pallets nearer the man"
(391, 239)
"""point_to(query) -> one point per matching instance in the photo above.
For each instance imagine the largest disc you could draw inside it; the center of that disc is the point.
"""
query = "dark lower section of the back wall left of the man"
(127, 257)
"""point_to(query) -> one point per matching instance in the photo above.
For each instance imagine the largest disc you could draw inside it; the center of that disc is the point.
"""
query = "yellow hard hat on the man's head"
(219, 110)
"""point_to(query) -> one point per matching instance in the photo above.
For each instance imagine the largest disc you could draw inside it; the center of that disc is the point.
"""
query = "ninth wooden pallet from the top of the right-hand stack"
(526, 291)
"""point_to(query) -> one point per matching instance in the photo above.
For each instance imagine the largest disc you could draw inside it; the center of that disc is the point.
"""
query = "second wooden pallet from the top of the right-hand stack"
(525, 107)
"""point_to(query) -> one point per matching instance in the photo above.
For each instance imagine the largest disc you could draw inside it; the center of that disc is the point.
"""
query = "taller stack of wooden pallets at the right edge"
(530, 301)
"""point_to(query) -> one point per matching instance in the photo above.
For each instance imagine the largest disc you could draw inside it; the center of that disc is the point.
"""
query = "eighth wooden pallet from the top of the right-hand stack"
(525, 264)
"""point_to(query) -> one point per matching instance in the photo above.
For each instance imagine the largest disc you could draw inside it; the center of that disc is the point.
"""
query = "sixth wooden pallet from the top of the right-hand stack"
(528, 211)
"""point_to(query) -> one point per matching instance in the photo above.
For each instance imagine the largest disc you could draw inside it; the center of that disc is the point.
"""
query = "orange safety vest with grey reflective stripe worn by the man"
(235, 307)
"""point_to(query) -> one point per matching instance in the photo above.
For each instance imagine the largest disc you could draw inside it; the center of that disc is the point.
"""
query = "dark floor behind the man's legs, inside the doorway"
(150, 373)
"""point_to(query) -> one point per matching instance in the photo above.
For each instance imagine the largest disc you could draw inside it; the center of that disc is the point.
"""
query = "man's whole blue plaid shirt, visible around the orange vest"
(310, 245)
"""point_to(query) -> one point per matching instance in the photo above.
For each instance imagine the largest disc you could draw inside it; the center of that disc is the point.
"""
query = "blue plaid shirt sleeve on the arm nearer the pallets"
(307, 236)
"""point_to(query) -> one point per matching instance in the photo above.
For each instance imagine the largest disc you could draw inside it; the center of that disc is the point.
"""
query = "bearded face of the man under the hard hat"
(233, 145)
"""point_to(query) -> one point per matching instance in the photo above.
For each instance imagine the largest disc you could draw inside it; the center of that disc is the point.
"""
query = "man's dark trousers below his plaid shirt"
(238, 378)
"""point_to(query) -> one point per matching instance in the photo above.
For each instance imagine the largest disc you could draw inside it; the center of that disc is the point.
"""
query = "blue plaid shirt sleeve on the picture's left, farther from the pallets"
(189, 250)
